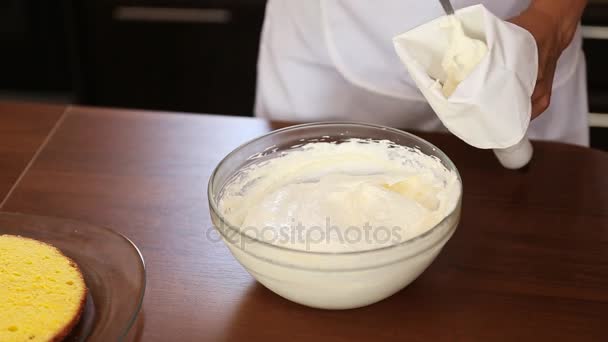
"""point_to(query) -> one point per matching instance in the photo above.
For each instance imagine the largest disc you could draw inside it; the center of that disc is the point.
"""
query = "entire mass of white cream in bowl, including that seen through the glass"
(338, 225)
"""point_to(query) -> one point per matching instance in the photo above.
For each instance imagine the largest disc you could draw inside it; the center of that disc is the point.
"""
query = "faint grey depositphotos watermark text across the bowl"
(300, 235)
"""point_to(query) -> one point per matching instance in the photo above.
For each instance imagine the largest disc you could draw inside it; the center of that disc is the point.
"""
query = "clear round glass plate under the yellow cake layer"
(112, 266)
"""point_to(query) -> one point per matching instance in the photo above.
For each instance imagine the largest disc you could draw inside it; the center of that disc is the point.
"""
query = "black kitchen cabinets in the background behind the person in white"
(176, 55)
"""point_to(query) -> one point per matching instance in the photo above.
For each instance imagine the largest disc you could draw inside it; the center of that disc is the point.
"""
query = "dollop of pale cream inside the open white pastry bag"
(462, 55)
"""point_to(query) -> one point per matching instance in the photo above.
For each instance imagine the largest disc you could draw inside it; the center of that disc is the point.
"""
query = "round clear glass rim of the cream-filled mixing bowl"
(450, 163)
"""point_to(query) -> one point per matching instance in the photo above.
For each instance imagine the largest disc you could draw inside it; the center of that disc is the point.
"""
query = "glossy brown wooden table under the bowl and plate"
(529, 260)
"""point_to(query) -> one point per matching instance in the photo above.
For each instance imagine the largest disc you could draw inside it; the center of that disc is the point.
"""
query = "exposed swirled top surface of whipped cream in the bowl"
(337, 197)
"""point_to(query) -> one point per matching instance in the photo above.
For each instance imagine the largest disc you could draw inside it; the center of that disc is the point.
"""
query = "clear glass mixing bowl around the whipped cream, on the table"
(323, 279)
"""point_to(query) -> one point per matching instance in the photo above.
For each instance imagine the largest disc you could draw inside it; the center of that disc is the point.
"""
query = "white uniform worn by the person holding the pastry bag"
(334, 60)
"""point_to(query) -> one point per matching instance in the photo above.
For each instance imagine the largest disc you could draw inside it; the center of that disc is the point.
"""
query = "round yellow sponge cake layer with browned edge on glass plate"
(42, 292)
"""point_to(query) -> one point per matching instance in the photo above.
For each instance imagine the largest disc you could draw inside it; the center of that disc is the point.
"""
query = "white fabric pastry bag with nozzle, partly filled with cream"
(478, 92)
